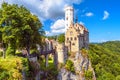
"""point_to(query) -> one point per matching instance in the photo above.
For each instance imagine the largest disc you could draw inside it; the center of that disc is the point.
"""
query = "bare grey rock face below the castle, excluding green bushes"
(81, 64)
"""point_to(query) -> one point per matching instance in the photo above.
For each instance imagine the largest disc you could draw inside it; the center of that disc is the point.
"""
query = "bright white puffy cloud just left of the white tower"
(57, 28)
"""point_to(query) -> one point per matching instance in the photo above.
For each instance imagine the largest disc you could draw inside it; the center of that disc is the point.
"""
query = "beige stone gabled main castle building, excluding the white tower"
(76, 37)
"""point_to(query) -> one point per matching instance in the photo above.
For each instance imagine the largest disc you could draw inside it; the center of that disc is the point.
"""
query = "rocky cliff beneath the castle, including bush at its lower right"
(82, 68)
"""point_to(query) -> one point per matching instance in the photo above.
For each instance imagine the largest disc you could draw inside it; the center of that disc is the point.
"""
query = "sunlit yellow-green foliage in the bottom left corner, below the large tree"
(11, 68)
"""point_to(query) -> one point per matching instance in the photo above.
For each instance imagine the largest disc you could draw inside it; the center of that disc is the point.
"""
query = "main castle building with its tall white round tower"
(76, 35)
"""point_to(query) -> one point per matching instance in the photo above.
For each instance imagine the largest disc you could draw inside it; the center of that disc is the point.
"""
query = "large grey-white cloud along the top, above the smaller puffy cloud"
(46, 9)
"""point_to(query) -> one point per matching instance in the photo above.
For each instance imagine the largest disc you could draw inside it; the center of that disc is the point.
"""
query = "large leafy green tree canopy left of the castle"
(19, 28)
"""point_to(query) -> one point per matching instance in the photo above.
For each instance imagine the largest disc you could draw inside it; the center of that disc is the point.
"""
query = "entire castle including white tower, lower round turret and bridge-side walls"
(76, 38)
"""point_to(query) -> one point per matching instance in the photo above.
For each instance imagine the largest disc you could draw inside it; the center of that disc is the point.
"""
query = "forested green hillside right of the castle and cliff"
(105, 58)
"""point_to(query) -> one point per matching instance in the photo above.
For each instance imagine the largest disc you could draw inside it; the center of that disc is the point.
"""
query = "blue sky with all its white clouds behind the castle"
(100, 17)
